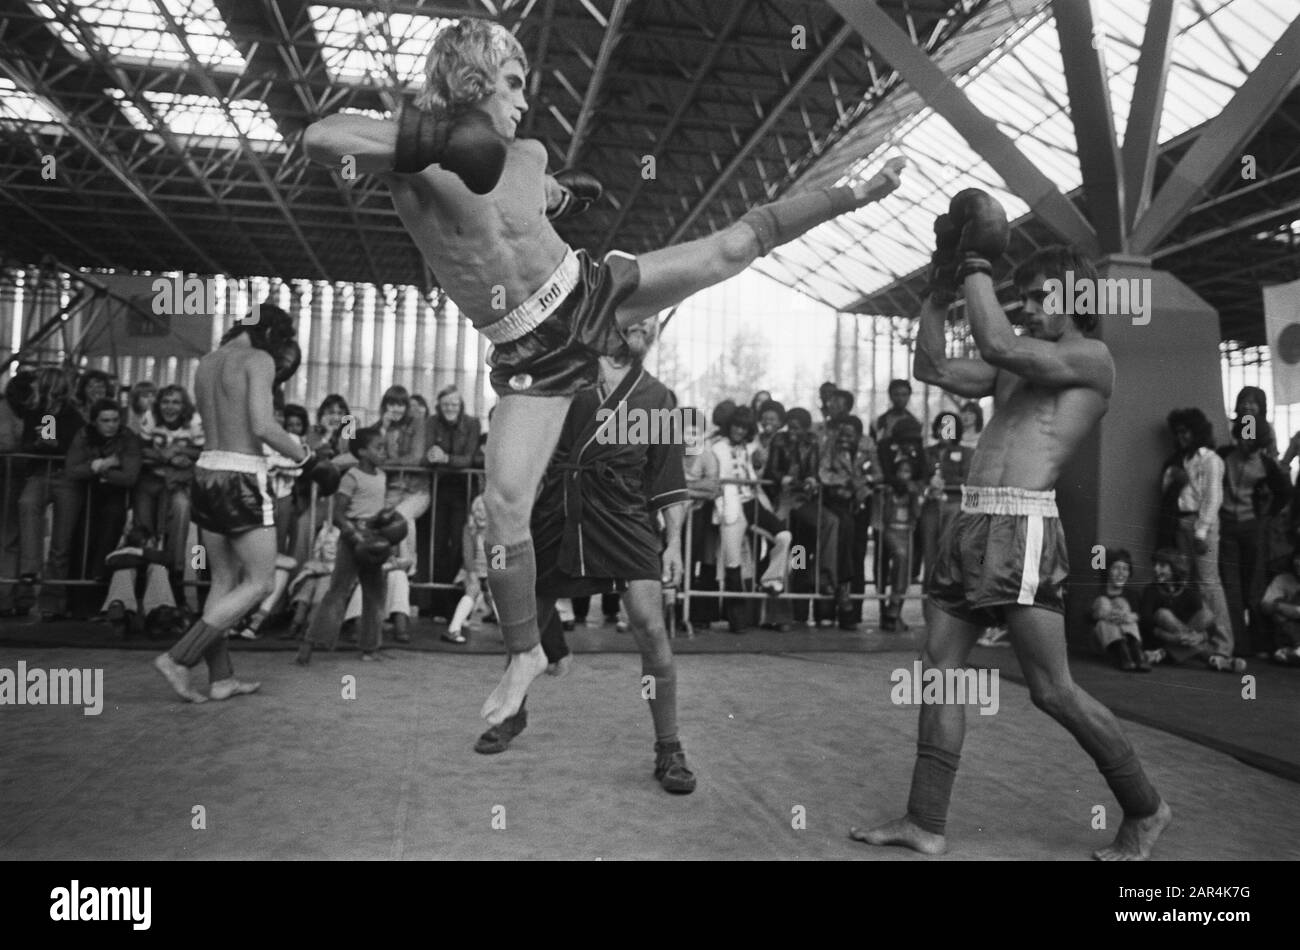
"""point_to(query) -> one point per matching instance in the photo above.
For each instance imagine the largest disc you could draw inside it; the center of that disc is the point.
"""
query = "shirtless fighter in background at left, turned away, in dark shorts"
(231, 498)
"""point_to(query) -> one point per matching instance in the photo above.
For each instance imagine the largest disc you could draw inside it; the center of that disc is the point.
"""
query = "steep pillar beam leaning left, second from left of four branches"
(1094, 123)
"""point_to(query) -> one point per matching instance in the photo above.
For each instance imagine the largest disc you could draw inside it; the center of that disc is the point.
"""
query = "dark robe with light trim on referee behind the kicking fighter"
(595, 519)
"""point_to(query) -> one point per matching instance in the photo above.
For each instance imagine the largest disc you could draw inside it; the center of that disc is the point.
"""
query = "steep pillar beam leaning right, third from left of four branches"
(1149, 106)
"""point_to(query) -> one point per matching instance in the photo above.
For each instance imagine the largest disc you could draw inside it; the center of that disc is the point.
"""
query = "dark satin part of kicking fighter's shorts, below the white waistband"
(558, 358)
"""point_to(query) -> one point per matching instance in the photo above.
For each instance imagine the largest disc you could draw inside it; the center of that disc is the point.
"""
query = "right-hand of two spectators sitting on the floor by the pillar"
(1177, 622)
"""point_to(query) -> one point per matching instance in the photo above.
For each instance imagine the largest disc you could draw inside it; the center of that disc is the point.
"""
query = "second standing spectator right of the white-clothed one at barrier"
(846, 475)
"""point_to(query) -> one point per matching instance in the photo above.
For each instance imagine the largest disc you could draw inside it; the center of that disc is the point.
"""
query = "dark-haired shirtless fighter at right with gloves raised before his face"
(1003, 559)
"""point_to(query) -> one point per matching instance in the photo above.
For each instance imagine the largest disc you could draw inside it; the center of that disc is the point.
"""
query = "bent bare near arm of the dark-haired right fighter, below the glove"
(1081, 362)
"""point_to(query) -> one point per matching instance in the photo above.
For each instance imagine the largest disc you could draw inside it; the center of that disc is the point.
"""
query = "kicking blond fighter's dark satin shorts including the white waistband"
(551, 344)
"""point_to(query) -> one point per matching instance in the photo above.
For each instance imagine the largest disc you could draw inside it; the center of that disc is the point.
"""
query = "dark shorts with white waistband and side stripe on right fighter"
(1006, 548)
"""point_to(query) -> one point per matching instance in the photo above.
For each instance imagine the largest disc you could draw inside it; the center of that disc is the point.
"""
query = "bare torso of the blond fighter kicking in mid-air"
(489, 253)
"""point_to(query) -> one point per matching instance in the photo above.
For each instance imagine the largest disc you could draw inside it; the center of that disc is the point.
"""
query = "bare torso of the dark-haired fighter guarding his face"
(1034, 432)
